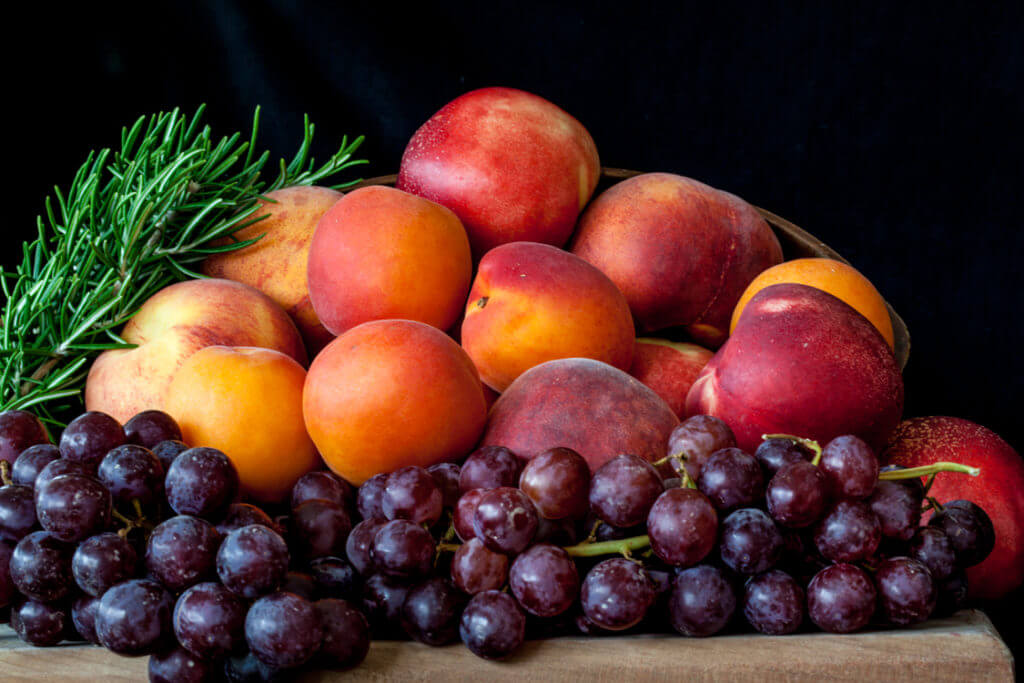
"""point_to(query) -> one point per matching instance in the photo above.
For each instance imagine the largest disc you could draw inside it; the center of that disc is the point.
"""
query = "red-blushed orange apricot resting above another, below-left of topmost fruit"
(381, 253)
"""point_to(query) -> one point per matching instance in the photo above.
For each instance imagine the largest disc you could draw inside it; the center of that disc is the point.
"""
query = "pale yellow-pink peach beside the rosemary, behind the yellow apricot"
(172, 326)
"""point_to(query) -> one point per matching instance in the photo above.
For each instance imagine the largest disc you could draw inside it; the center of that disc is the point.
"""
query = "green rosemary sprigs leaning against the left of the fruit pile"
(134, 221)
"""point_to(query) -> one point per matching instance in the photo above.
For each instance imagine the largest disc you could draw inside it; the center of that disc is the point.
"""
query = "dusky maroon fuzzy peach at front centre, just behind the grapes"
(588, 406)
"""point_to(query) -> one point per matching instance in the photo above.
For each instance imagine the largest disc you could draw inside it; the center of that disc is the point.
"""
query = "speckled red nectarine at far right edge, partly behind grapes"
(997, 490)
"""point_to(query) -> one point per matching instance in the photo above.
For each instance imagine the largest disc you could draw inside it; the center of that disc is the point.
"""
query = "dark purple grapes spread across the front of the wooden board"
(130, 539)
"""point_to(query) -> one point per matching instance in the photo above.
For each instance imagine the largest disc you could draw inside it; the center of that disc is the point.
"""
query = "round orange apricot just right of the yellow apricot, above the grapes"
(392, 394)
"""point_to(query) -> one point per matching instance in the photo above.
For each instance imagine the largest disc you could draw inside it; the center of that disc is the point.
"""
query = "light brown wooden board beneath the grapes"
(965, 648)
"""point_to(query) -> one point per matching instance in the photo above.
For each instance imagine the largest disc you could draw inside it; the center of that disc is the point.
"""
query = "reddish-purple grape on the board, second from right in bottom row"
(841, 599)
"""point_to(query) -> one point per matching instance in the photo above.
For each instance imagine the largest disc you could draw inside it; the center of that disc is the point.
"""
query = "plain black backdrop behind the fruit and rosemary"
(892, 133)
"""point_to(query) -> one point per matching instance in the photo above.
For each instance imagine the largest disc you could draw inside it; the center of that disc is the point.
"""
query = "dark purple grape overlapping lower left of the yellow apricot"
(201, 483)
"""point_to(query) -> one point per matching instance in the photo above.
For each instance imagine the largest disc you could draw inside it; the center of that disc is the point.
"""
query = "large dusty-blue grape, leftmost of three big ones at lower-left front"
(135, 618)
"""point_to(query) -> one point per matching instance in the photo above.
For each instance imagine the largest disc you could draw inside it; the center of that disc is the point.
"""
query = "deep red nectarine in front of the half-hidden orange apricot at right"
(801, 362)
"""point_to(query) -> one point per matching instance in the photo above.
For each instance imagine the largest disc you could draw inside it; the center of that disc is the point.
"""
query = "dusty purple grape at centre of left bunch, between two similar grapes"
(183, 551)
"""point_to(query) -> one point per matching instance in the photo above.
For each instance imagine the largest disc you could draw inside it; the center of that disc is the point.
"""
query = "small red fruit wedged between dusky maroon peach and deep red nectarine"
(669, 368)
